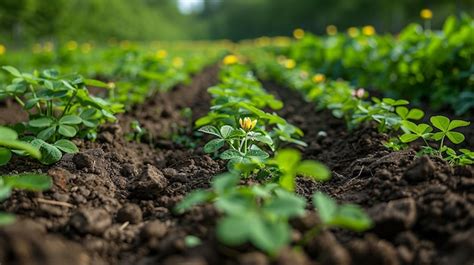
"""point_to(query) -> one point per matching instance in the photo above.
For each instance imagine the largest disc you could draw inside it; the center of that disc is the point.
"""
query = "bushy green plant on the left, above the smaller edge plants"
(59, 107)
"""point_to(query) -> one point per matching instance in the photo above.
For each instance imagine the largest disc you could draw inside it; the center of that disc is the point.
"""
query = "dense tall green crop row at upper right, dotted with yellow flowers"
(418, 64)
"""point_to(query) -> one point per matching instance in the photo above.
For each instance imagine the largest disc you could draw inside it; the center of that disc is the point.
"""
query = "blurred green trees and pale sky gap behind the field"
(26, 21)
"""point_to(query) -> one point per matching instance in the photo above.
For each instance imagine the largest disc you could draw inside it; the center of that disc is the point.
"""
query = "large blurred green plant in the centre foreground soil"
(258, 214)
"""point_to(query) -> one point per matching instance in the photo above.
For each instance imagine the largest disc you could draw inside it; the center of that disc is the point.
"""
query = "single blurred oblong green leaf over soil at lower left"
(29, 181)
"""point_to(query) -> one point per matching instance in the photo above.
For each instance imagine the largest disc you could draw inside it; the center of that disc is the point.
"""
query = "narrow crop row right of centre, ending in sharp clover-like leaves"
(350, 103)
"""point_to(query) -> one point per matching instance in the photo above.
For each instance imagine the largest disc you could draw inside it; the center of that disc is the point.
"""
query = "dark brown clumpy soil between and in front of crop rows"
(112, 202)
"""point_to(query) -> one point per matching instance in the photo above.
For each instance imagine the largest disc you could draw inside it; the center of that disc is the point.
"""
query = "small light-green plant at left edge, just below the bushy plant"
(10, 144)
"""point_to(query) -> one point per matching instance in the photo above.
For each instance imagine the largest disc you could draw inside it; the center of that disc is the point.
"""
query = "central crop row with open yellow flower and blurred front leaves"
(252, 140)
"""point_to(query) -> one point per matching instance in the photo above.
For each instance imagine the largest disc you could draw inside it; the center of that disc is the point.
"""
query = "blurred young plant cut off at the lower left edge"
(27, 181)
